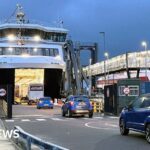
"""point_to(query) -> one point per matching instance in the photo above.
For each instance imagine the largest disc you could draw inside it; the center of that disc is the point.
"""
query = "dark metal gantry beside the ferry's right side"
(74, 74)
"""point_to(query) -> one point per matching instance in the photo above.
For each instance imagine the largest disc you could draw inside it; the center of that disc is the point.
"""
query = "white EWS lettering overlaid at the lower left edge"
(8, 134)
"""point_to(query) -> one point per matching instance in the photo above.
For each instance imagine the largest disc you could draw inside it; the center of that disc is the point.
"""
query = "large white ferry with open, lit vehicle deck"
(31, 53)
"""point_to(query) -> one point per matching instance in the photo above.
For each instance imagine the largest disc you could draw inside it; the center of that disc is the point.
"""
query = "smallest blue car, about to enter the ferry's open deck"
(45, 102)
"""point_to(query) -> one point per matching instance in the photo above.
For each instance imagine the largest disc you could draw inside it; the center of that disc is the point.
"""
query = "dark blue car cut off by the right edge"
(136, 117)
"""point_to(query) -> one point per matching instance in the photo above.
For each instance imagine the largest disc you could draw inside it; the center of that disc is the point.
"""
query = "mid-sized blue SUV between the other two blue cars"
(78, 104)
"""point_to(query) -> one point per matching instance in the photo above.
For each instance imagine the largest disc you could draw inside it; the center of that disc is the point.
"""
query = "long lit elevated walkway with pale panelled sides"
(124, 62)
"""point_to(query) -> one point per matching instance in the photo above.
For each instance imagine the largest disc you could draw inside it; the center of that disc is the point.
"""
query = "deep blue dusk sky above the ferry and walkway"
(125, 22)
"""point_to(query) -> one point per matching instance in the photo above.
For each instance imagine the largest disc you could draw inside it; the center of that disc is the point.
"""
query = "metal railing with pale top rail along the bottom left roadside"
(31, 140)
